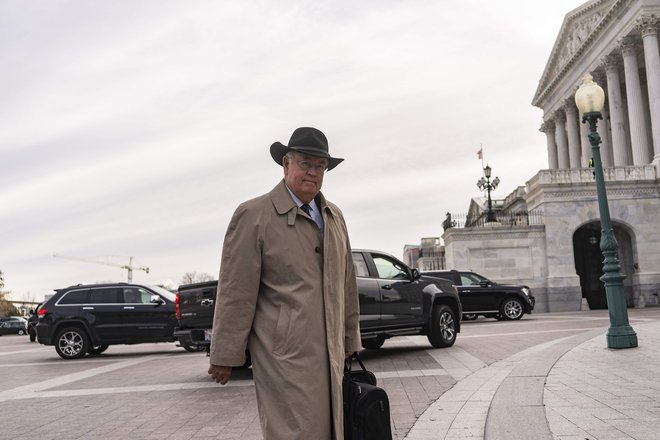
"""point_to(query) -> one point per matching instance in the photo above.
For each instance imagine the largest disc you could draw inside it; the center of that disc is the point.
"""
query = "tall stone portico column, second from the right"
(637, 121)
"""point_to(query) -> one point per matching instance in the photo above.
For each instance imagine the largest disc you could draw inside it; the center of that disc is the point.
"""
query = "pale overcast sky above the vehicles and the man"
(134, 128)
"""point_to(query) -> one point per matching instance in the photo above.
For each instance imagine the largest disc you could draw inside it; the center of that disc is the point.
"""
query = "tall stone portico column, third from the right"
(617, 114)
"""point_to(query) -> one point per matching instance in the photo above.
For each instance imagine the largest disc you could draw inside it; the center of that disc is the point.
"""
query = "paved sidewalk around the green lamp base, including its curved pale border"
(572, 388)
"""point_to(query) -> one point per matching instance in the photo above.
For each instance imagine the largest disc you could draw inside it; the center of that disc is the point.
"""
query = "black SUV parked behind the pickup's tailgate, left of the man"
(88, 318)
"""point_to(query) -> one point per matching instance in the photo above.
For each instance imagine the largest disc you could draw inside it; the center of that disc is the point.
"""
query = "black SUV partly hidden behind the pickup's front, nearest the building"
(481, 296)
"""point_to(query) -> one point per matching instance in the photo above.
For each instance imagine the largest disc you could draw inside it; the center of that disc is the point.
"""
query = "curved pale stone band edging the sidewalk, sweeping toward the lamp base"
(500, 401)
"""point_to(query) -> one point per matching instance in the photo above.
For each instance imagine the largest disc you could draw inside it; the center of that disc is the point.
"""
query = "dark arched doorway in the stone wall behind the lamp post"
(589, 262)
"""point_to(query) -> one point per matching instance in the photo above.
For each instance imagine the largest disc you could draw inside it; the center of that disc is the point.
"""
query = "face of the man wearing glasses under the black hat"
(304, 175)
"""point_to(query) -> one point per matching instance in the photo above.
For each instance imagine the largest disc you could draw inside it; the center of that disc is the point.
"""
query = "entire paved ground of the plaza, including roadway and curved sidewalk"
(547, 376)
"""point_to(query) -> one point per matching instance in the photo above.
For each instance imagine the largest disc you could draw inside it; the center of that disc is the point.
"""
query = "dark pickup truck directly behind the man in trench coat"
(395, 300)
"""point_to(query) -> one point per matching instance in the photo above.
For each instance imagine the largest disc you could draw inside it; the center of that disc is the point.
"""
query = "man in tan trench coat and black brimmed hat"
(287, 290)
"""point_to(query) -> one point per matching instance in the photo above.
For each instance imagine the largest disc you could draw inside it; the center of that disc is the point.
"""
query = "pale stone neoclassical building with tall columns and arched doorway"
(547, 232)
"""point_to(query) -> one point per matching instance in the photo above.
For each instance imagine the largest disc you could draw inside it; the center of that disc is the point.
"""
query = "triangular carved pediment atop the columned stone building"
(577, 33)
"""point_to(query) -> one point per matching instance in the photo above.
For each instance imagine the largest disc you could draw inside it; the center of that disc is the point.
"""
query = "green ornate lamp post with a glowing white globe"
(590, 99)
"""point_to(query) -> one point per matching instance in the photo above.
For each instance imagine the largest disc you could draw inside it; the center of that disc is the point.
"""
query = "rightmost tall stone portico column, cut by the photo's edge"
(648, 27)
